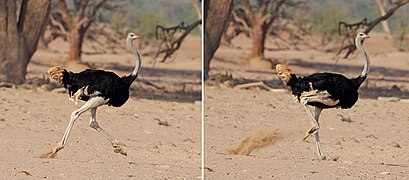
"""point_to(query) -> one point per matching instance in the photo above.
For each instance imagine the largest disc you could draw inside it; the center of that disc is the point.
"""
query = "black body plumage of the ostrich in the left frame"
(108, 84)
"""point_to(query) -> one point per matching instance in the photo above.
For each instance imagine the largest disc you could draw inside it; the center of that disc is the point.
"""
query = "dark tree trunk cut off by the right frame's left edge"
(217, 14)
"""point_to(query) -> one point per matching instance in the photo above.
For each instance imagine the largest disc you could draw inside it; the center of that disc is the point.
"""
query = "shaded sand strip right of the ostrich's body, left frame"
(164, 84)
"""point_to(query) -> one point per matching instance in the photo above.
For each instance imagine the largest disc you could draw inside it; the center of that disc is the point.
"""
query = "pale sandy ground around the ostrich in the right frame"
(368, 141)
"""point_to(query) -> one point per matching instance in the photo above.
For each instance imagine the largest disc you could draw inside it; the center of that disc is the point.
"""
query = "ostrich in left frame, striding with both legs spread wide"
(96, 88)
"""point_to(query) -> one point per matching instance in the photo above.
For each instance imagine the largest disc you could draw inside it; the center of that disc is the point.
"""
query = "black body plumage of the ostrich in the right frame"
(338, 86)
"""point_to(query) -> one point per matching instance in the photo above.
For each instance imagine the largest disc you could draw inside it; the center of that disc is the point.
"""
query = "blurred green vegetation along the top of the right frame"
(325, 15)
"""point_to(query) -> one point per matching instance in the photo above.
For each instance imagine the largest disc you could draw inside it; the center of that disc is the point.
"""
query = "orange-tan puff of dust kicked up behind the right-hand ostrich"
(255, 141)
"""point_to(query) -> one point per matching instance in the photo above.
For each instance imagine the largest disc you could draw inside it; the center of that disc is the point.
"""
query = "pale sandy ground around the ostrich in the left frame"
(33, 121)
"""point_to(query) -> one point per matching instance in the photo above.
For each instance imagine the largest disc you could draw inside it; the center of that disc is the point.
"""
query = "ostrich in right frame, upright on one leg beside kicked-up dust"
(325, 90)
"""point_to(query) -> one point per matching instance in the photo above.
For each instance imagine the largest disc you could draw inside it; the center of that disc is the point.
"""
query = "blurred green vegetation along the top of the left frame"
(142, 16)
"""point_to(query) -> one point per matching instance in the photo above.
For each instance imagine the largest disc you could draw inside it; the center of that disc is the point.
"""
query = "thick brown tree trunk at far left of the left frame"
(20, 28)
